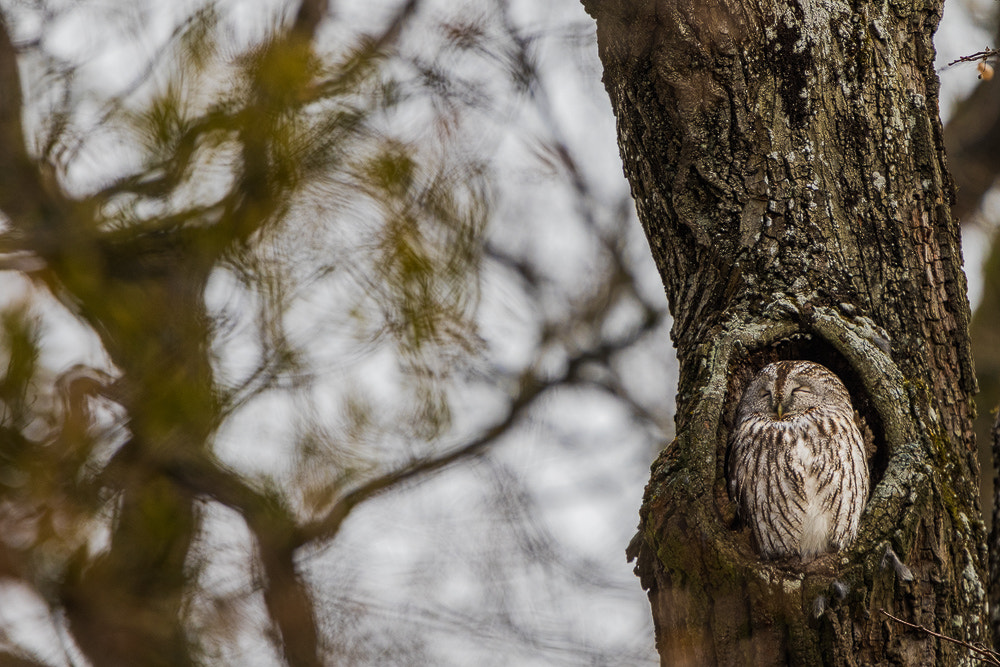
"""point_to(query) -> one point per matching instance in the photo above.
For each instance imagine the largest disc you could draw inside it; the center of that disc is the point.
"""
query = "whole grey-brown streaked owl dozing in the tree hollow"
(798, 470)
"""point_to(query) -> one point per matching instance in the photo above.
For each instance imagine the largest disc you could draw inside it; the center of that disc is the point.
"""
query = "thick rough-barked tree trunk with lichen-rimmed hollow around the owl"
(787, 164)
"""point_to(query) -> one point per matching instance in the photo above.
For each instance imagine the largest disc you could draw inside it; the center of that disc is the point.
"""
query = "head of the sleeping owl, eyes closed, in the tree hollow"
(787, 389)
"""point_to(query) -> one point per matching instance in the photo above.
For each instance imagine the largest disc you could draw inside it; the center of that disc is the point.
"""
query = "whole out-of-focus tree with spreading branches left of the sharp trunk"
(230, 228)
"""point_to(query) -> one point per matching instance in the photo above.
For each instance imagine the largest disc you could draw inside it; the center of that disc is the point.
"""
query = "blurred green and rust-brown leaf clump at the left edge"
(48, 503)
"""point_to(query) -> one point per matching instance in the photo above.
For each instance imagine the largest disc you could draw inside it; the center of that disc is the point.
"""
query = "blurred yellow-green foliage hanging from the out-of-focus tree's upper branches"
(274, 157)
